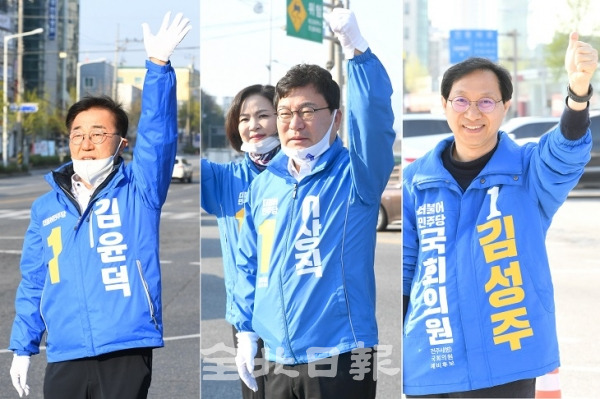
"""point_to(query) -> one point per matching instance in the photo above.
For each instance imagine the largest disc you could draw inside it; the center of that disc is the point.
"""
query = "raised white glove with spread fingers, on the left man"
(161, 45)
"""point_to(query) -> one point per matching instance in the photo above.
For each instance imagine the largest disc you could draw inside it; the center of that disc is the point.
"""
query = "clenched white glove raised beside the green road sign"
(343, 23)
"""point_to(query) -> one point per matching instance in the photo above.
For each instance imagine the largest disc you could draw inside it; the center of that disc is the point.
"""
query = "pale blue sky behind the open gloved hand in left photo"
(102, 22)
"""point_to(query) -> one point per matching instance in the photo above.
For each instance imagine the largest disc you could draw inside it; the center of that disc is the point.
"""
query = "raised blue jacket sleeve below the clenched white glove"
(370, 125)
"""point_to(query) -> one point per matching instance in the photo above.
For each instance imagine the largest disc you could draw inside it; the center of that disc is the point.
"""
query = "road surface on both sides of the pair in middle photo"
(219, 377)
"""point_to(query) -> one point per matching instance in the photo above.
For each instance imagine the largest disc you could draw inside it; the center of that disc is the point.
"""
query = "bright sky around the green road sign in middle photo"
(236, 42)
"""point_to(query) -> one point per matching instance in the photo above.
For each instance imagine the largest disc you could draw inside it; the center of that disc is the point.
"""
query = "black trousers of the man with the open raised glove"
(123, 374)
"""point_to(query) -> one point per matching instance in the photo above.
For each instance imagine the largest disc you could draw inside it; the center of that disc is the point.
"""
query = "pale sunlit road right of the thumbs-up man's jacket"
(573, 242)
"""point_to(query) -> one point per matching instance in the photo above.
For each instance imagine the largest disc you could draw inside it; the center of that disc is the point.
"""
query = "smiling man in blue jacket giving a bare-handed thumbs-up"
(479, 304)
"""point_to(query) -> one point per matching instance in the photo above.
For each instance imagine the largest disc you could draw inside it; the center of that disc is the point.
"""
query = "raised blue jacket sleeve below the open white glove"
(156, 142)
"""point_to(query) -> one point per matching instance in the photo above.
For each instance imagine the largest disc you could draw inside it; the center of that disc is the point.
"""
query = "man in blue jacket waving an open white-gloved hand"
(90, 264)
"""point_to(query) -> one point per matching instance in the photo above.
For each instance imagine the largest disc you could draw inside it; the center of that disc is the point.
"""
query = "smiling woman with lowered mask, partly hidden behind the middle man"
(251, 128)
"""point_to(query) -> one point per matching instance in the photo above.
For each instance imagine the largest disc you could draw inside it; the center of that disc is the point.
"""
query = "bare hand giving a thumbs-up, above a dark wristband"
(581, 60)
